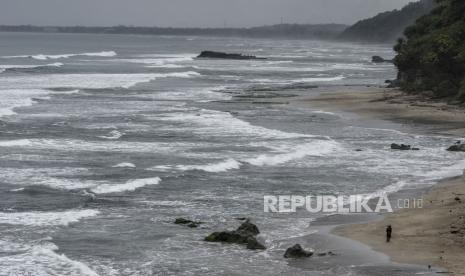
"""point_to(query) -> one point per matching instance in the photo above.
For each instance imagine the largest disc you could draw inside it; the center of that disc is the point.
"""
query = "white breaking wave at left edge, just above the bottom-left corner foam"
(46, 218)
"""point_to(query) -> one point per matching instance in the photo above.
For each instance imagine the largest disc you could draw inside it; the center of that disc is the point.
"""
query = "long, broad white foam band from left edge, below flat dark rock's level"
(91, 81)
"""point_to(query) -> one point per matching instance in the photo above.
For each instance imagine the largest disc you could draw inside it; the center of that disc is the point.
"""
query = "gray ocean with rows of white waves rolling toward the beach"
(106, 139)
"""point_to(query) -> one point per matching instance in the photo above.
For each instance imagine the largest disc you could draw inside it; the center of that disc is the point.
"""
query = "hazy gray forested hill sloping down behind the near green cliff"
(387, 26)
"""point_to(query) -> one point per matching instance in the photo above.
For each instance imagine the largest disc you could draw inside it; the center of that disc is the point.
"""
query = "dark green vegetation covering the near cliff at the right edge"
(431, 57)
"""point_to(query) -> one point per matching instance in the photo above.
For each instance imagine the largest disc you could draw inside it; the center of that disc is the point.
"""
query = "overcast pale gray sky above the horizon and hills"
(189, 13)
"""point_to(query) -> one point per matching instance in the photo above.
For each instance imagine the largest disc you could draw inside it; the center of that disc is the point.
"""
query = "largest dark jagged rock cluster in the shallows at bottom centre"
(245, 234)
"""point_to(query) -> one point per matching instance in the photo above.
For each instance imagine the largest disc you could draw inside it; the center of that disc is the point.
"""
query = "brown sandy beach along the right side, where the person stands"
(435, 234)
